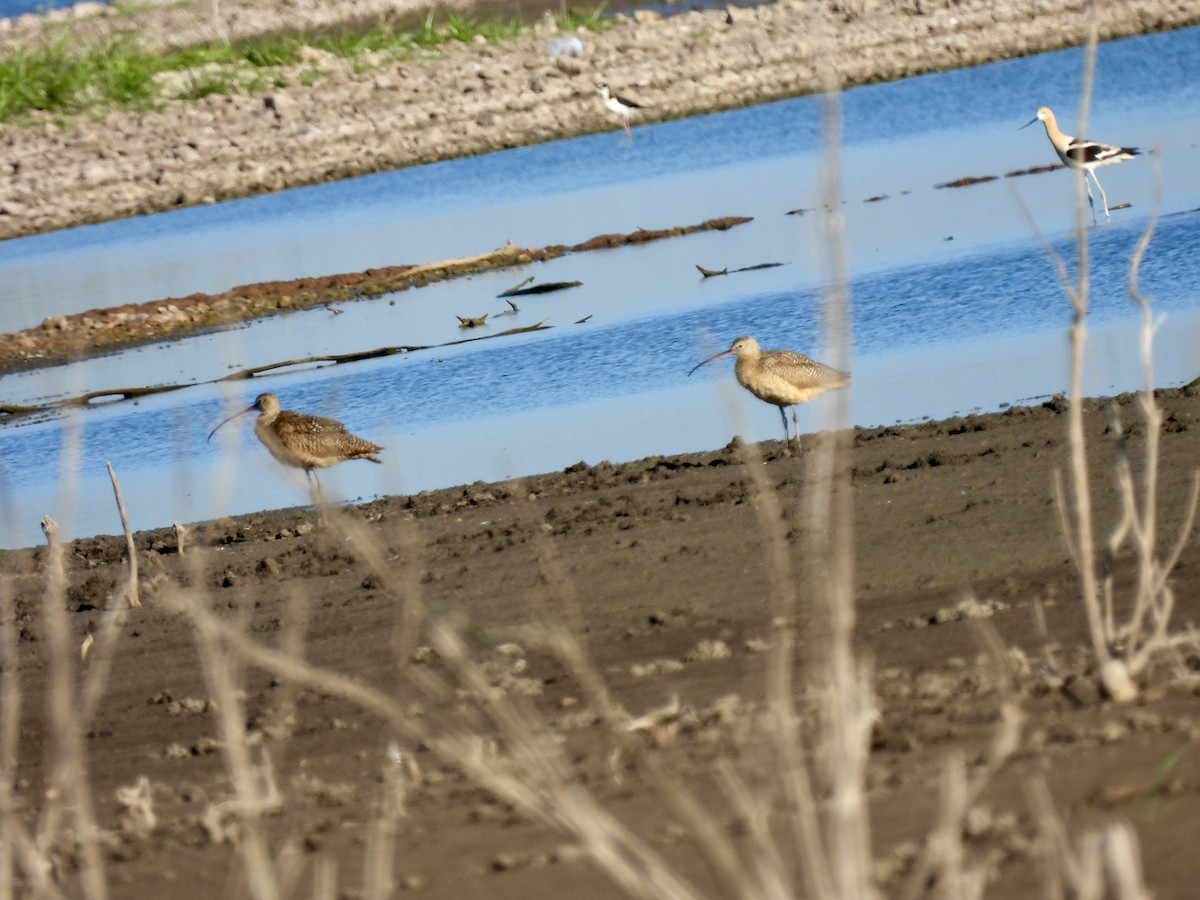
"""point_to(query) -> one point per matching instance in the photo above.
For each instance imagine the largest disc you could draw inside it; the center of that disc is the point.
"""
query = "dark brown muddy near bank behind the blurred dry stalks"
(663, 568)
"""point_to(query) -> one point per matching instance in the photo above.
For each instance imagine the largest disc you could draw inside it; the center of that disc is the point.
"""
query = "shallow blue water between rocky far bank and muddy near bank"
(957, 308)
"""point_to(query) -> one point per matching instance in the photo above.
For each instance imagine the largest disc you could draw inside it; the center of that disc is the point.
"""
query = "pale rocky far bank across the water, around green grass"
(475, 99)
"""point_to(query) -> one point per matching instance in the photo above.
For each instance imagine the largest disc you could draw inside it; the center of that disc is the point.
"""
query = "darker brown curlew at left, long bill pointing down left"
(304, 442)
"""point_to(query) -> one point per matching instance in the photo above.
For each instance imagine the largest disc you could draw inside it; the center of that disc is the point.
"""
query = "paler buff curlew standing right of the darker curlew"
(781, 377)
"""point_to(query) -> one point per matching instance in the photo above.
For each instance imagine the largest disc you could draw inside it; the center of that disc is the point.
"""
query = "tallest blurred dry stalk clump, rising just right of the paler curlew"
(832, 843)
